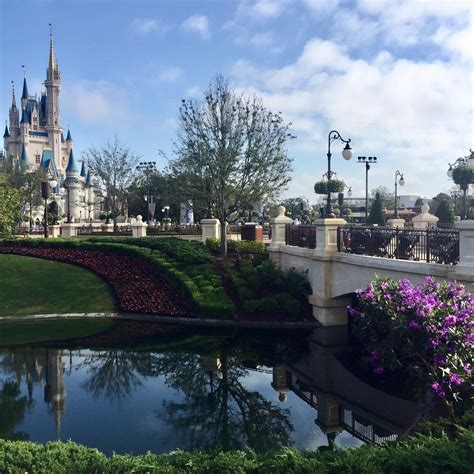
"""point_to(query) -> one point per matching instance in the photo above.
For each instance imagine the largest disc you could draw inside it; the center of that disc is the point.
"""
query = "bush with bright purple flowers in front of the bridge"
(424, 332)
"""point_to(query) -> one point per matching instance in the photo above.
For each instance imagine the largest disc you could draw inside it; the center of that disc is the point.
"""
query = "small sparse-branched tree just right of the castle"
(114, 165)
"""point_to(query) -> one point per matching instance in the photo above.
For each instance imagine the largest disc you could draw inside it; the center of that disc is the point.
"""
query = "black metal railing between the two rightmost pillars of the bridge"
(434, 244)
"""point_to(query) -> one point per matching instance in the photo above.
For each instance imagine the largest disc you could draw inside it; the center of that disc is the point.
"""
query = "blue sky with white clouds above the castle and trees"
(395, 76)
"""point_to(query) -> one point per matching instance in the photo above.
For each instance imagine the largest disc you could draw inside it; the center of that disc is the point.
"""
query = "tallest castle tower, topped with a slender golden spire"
(53, 124)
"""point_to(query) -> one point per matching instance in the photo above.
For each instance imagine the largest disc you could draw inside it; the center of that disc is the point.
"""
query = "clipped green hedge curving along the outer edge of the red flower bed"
(195, 281)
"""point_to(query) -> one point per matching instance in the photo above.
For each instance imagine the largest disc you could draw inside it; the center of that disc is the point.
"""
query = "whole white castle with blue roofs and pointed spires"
(37, 141)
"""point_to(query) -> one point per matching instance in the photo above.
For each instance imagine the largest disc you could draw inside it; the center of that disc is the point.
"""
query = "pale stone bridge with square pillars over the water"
(334, 275)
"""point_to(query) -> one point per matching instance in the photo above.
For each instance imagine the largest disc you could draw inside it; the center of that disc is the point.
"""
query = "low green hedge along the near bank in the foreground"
(419, 454)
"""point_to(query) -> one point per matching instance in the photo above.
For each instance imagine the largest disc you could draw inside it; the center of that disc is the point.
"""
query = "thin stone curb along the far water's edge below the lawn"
(164, 319)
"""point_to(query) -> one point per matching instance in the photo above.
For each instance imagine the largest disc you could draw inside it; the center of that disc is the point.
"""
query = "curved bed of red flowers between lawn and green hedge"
(137, 287)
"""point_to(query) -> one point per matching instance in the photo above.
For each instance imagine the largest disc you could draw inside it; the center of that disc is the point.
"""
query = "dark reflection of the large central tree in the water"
(218, 411)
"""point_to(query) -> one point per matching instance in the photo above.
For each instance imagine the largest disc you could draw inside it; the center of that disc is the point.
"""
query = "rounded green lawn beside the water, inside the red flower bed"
(36, 286)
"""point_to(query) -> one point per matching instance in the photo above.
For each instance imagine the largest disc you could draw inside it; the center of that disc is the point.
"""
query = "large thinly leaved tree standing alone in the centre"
(230, 153)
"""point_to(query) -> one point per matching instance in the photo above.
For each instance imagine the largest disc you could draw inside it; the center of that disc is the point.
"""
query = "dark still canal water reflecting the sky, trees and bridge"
(189, 391)
